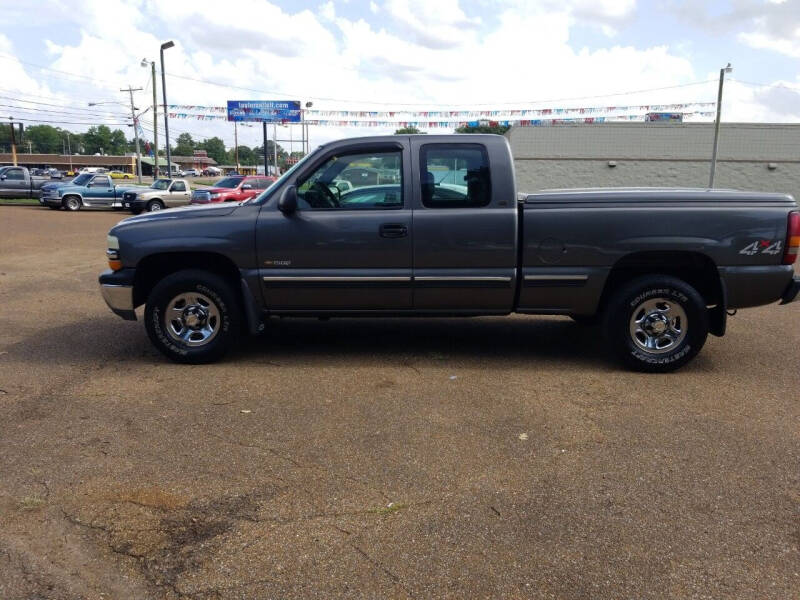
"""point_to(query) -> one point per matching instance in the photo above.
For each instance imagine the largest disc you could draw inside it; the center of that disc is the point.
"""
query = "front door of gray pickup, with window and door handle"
(348, 246)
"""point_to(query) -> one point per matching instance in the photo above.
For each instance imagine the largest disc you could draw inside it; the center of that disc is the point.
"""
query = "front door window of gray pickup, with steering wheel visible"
(367, 180)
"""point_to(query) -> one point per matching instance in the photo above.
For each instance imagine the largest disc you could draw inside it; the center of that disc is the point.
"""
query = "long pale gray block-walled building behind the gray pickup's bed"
(752, 156)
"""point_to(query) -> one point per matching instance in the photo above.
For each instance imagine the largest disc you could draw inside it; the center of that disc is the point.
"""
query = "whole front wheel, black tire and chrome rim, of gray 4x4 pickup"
(200, 286)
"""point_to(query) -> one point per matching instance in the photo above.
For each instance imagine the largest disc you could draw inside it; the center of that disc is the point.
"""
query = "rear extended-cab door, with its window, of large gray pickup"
(465, 226)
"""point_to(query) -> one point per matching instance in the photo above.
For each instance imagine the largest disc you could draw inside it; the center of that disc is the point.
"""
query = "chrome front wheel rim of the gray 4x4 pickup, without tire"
(192, 318)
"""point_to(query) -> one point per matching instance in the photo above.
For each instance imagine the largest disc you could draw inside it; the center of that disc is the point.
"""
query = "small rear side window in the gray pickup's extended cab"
(455, 176)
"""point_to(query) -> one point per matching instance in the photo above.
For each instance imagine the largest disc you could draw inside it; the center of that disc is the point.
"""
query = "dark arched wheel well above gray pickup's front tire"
(155, 267)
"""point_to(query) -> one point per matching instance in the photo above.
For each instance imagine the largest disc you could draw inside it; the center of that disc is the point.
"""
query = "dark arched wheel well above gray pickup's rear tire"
(696, 269)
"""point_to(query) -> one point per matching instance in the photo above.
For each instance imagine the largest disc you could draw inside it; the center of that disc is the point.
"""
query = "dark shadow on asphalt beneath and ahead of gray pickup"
(487, 341)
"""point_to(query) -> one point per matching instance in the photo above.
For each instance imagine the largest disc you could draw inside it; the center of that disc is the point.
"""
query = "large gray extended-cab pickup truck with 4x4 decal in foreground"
(443, 232)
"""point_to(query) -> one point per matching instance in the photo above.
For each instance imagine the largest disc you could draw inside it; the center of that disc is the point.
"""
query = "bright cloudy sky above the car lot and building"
(392, 55)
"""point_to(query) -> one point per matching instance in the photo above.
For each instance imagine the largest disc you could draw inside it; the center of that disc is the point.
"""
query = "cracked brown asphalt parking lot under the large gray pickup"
(491, 457)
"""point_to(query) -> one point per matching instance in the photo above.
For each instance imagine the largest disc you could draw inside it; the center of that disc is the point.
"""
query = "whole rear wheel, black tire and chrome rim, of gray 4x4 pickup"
(672, 317)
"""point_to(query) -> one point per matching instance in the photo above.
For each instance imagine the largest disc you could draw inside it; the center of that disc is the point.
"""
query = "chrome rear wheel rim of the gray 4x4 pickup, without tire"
(658, 325)
